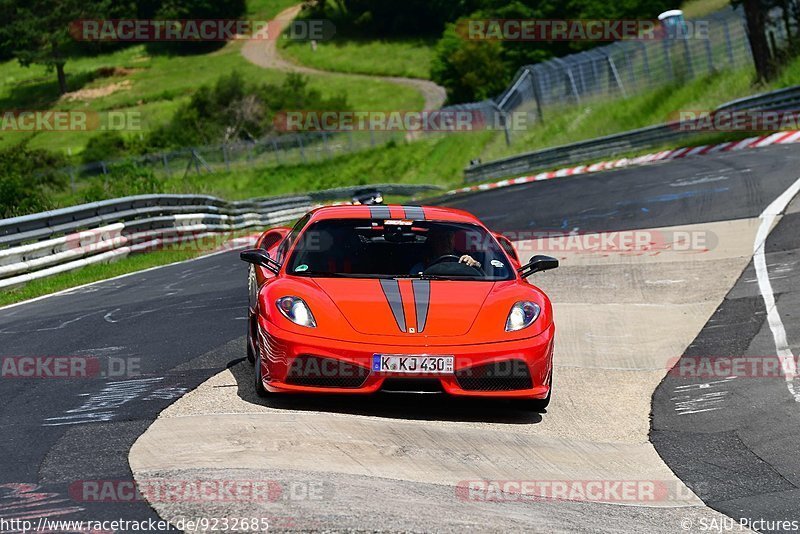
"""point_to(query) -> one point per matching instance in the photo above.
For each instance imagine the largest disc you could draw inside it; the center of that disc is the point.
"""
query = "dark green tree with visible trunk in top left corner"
(39, 30)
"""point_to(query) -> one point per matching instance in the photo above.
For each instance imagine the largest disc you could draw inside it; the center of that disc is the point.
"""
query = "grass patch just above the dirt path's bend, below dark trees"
(405, 57)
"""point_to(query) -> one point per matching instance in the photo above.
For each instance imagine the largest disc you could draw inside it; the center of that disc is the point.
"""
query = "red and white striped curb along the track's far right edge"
(779, 138)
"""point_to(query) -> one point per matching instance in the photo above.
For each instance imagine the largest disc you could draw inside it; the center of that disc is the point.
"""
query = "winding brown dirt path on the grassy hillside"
(264, 53)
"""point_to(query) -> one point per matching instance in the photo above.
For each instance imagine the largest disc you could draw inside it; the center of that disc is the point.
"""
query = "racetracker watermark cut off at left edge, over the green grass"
(69, 121)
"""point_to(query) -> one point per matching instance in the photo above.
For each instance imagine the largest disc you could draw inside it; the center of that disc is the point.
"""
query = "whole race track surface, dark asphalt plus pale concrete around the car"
(395, 462)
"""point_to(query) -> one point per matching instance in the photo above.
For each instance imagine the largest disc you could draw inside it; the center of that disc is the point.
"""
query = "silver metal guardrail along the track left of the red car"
(43, 244)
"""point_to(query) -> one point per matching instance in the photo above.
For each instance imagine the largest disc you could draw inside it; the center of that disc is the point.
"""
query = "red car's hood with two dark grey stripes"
(406, 306)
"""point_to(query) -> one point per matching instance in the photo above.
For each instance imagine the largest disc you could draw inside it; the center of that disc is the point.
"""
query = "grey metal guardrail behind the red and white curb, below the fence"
(613, 145)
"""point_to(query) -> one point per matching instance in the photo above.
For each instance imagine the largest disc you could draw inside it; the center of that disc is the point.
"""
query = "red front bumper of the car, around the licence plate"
(293, 363)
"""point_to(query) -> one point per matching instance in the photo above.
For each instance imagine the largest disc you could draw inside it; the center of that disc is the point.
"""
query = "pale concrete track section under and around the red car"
(614, 345)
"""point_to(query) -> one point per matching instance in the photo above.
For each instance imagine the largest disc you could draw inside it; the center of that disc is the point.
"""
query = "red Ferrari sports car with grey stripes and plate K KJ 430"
(360, 299)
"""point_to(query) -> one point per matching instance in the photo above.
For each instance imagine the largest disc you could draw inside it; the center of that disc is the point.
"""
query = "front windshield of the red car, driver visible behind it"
(366, 248)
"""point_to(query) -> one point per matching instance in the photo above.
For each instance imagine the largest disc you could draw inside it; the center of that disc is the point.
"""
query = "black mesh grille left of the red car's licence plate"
(316, 371)
